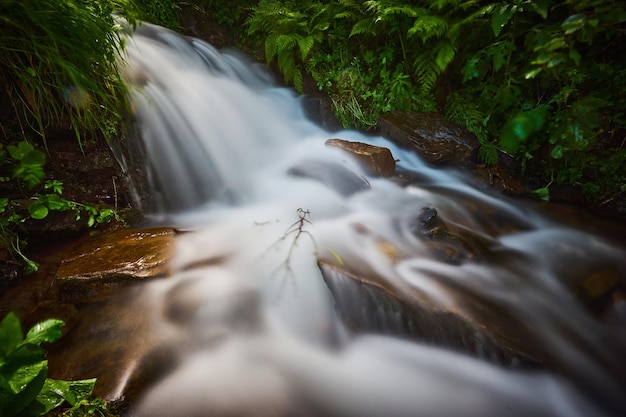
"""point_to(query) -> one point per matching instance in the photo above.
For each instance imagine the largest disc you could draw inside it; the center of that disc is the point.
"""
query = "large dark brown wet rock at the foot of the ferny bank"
(433, 137)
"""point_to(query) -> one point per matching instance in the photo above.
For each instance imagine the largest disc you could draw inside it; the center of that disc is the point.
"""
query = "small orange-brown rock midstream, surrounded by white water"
(374, 159)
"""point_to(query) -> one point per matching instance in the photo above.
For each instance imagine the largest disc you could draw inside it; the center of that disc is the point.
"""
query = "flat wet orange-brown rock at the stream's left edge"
(112, 259)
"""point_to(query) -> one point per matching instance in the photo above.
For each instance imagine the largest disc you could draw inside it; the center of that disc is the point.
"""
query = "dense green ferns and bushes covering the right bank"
(539, 79)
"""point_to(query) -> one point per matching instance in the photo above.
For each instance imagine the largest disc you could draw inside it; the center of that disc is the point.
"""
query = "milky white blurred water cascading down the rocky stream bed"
(251, 319)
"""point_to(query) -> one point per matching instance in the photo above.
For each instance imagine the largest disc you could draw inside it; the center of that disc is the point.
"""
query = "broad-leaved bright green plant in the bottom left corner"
(25, 389)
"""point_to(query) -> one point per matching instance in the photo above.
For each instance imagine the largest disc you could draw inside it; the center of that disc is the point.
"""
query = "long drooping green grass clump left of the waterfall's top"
(59, 61)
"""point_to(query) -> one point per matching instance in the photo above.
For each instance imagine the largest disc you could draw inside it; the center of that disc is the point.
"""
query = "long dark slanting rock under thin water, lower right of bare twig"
(367, 307)
